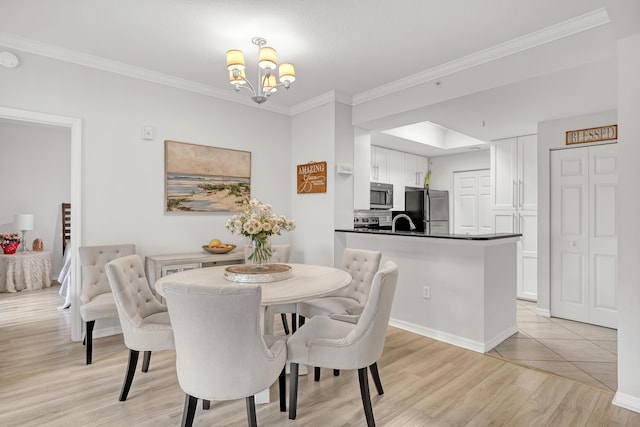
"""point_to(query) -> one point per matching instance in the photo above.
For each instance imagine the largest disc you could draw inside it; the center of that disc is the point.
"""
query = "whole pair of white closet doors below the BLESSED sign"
(584, 234)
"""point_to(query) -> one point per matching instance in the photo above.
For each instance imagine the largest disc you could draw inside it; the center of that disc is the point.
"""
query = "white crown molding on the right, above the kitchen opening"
(564, 29)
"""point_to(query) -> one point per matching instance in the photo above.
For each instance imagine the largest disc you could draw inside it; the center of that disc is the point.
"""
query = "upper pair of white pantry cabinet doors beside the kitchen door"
(514, 173)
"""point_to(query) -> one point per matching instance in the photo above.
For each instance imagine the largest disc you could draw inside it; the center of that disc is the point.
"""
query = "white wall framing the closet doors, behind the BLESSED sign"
(551, 135)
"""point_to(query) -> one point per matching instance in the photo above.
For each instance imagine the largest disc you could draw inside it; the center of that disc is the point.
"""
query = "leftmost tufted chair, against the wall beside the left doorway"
(95, 293)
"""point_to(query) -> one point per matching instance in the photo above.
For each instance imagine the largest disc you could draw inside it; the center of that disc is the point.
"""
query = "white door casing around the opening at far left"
(75, 126)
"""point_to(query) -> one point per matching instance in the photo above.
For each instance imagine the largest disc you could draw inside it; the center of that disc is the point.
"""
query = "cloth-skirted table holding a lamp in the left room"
(25, 271)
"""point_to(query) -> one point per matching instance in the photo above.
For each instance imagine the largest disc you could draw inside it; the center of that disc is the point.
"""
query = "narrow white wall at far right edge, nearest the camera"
(628, 212)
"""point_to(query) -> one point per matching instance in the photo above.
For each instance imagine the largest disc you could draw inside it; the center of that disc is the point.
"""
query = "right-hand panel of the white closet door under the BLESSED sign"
(603, 255)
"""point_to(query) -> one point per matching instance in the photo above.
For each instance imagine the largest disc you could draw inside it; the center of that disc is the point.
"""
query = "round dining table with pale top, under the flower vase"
(306, 281)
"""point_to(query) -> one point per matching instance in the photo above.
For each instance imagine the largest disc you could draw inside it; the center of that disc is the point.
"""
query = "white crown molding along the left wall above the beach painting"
(103, 64)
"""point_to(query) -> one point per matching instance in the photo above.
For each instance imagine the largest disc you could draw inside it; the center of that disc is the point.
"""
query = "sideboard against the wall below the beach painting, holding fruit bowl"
(158, 266)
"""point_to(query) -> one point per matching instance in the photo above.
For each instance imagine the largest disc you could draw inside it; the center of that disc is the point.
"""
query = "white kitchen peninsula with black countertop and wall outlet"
(460, 289)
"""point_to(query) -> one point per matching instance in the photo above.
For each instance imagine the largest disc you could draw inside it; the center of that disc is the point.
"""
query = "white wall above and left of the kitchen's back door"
(443, 167)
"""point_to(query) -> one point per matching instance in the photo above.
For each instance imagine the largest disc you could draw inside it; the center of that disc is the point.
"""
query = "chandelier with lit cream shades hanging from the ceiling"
(266, 79)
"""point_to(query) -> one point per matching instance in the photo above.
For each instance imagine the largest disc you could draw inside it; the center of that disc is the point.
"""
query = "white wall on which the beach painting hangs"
(123, 176)
